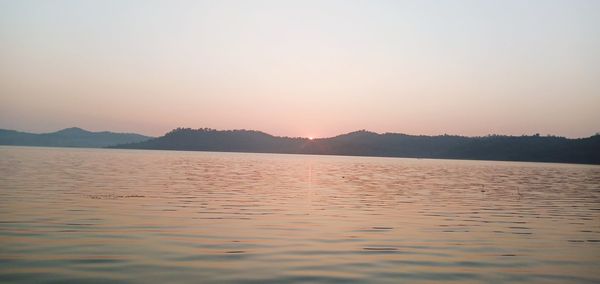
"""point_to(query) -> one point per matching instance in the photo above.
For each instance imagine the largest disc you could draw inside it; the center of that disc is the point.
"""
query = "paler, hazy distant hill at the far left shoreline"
(69, 137)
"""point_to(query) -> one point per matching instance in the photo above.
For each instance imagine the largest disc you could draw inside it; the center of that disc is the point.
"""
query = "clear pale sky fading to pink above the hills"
(302, 68)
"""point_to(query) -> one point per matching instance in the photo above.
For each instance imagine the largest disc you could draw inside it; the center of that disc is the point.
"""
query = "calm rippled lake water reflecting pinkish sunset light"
(93, 215)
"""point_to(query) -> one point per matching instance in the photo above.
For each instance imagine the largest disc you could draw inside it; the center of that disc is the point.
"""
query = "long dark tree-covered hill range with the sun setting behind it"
(534, 148)
